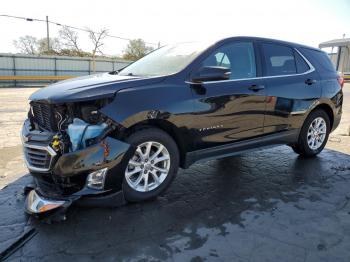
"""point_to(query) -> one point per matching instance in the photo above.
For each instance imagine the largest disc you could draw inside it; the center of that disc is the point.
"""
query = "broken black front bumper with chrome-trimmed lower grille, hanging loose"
(91, 173)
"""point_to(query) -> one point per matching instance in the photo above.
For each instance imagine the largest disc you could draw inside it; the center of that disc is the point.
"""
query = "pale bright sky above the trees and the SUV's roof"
(168, 21)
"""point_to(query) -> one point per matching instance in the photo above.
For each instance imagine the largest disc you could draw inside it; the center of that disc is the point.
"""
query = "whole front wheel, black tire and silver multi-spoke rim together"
(141, 139)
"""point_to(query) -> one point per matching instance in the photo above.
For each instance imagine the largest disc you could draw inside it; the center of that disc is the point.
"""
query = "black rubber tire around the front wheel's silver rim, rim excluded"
(156, 135)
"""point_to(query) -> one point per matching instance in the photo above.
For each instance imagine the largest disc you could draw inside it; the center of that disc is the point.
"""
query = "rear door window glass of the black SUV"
(279, 60)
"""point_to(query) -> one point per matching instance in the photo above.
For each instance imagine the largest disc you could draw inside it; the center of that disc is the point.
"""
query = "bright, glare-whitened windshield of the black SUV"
(165, 60)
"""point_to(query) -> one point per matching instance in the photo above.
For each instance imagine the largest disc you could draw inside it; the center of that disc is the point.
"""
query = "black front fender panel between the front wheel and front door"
(169, 103)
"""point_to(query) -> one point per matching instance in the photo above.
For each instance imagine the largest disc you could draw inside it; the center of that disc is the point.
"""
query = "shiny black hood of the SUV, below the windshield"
(89, 88)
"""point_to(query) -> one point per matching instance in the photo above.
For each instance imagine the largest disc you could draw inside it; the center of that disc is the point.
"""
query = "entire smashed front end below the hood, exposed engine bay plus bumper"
(74, 153)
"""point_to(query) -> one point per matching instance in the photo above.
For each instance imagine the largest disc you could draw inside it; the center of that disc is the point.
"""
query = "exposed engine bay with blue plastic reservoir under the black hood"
(74, 126)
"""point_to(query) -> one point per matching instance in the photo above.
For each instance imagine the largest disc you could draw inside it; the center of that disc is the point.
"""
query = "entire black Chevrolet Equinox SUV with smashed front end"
(125, 133)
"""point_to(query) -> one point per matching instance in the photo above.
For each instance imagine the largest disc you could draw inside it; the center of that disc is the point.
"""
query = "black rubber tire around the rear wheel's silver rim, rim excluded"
(303, 134)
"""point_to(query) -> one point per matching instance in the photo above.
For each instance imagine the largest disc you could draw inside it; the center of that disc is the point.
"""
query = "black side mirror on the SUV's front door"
(211, 73)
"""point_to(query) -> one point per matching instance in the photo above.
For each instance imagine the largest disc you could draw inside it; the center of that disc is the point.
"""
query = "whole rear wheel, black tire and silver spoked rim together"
(305, 147)
